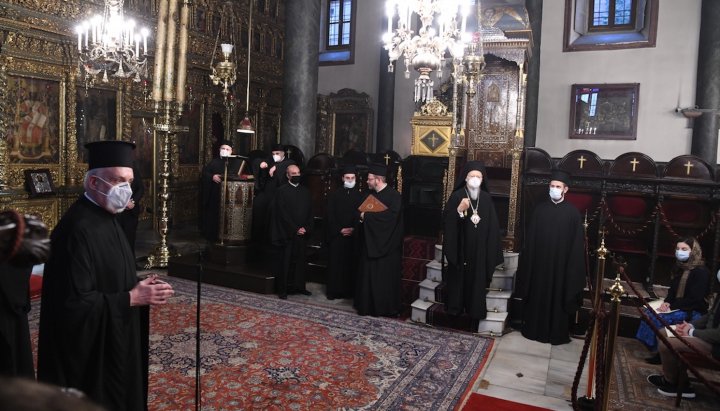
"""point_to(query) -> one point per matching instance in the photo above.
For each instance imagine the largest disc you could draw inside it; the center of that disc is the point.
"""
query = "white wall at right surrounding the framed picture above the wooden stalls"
(666, 74)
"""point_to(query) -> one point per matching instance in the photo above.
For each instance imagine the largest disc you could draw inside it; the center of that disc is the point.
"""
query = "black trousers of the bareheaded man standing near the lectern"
(289, 266)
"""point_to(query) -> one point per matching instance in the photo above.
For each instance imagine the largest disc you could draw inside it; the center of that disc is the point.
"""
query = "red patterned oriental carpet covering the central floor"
(262, 353)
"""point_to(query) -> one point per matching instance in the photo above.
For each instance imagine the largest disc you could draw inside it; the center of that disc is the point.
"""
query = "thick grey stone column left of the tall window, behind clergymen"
(300, 74)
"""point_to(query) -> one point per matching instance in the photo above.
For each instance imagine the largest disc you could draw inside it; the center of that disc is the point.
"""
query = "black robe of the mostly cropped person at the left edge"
(15, 348)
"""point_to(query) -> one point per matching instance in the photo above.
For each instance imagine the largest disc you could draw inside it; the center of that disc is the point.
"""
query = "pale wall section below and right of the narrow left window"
(363, 76)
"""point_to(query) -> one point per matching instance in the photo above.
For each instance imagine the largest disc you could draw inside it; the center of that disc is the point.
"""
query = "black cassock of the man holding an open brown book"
(377, 291)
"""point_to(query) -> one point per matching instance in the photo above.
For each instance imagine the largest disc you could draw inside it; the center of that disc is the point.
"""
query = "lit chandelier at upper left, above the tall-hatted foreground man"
(111, 45)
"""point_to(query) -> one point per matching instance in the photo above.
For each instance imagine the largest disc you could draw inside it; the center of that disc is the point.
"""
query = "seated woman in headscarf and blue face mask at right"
(685, 301)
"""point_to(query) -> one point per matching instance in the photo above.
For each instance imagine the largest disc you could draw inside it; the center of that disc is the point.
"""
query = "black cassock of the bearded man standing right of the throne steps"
(551, 274)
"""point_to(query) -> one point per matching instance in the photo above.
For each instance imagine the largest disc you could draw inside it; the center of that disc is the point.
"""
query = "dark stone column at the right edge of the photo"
(707, 89)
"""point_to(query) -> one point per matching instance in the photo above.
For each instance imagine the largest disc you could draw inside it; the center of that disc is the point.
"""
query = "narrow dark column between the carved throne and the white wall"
(534, 9)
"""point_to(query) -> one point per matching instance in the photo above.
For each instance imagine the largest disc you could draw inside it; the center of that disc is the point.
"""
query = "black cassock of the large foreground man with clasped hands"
(90, 338)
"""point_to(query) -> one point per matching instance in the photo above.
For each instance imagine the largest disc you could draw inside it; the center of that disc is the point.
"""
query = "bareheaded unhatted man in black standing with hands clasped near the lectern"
(291, 225)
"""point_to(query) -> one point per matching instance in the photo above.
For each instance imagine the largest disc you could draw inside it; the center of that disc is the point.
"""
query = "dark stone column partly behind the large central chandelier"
(386, 104)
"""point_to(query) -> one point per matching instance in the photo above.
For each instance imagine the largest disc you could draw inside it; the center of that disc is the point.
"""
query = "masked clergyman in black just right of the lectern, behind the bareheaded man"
(270, 174)
